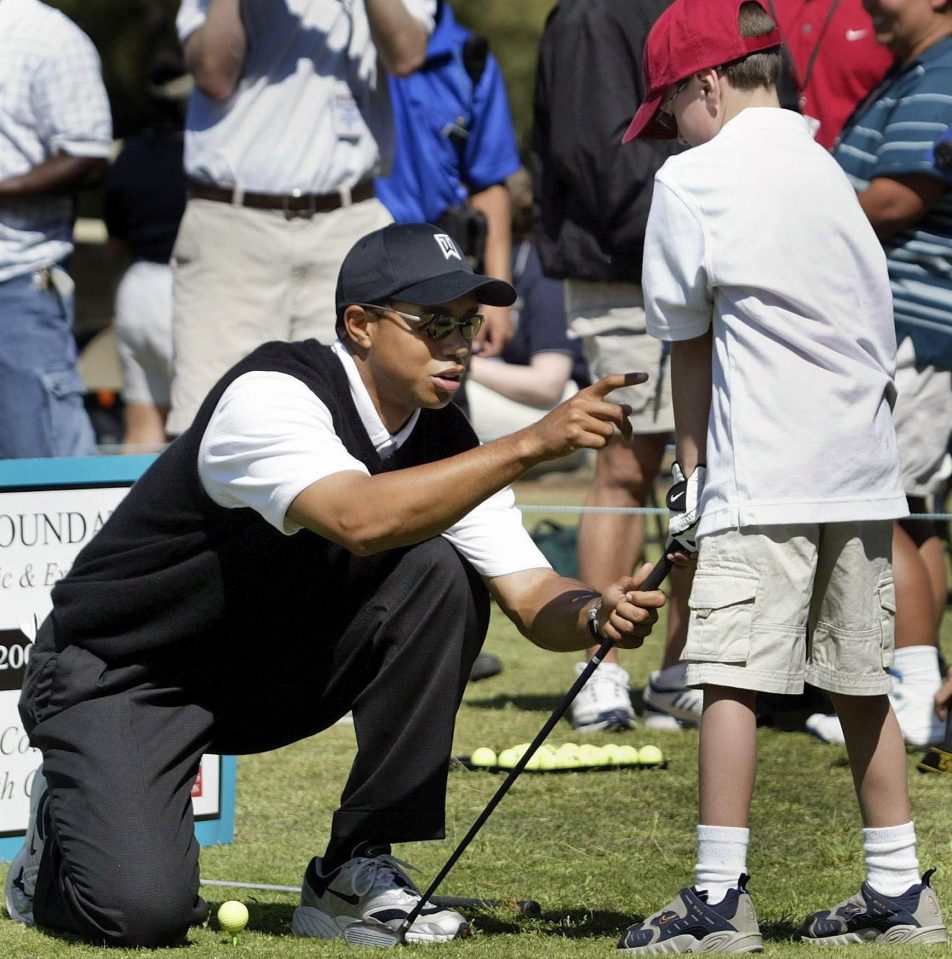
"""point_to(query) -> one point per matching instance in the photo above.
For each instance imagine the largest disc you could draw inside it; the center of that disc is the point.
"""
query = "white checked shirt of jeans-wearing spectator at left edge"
(52, 100)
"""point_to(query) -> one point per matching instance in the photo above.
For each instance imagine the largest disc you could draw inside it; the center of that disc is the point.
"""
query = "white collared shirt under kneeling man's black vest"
(270, 438)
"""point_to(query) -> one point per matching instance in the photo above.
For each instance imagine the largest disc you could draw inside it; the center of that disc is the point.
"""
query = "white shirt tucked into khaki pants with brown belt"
(311, 111)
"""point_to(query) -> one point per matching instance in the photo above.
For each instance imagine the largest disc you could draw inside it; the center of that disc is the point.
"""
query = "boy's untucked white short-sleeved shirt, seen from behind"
(759, 232)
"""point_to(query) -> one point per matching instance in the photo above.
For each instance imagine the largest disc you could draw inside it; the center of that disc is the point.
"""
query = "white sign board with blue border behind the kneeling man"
(49, 509)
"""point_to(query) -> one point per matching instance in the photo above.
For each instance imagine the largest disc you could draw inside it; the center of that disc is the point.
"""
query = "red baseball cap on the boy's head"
(691, 35)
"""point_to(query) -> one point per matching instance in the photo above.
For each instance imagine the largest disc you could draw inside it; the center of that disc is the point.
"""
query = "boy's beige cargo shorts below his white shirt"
(773, 607)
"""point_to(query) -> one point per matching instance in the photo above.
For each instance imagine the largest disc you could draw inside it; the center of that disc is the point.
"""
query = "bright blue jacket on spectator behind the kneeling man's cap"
(453, 138)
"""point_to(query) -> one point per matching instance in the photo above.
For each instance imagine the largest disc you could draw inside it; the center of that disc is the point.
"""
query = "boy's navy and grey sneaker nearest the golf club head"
(689, 924)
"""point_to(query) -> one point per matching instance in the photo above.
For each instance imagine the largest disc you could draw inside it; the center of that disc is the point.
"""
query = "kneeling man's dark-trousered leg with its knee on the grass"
(120, 755)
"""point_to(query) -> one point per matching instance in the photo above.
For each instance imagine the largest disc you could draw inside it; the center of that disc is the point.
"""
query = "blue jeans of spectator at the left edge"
(41, 392)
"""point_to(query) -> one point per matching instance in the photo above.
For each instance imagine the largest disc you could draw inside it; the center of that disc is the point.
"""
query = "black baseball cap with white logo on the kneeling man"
(417, 263)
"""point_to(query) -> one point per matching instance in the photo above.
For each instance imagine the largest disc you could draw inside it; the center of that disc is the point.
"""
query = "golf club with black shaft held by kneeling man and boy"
(377, 935)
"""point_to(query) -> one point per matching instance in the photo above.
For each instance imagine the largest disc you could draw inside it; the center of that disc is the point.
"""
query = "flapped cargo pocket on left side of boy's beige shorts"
(722, 613)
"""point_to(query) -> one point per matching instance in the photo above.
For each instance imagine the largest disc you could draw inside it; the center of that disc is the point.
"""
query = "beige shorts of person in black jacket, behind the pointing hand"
(609, 318)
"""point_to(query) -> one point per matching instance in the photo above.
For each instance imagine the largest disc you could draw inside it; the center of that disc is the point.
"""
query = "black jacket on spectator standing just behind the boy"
(592, 193)
